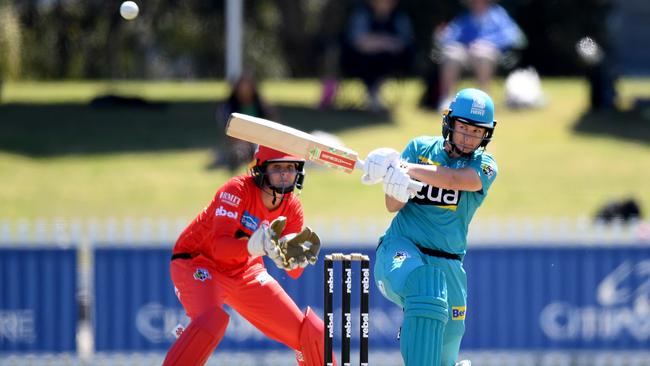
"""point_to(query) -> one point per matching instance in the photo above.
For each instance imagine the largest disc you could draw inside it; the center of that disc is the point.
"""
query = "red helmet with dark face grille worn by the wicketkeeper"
(264, 156)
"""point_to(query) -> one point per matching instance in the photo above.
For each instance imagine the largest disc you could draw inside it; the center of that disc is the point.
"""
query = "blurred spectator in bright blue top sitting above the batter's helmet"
(476, 38)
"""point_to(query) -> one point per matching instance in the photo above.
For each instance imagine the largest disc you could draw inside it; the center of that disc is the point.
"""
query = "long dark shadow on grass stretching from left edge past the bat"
(44, 130)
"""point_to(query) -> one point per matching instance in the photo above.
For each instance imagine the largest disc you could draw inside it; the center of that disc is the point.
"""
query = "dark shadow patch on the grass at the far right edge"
(633, 125)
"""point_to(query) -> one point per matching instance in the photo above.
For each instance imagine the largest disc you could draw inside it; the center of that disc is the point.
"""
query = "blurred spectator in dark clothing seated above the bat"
(378, 42)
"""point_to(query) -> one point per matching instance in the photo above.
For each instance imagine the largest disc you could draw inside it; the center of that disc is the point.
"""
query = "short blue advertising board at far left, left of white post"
(38, 307)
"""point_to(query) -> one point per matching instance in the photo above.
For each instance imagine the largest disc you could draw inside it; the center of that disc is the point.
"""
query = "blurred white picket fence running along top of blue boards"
(508, 231)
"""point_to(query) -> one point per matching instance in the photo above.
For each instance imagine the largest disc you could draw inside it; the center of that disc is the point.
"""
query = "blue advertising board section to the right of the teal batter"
(585, 297)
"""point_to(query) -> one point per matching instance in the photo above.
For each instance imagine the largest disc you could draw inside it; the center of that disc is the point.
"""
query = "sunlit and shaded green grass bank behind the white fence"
(61, 157)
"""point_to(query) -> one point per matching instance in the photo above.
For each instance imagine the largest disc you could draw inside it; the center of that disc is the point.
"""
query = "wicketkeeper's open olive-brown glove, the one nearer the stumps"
(300, 250)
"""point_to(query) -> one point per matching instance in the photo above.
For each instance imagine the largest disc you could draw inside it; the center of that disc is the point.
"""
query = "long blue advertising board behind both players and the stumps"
(519, 298)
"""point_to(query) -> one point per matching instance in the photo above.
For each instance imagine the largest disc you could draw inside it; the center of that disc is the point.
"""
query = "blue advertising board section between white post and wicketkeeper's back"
(134, 303)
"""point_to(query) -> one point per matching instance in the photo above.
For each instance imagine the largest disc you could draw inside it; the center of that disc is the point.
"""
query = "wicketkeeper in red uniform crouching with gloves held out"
(218, 260)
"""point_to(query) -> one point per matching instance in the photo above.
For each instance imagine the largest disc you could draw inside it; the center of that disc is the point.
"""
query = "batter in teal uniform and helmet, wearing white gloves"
(419, 263)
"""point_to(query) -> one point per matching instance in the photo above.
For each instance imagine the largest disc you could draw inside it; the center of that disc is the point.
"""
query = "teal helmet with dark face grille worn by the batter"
(471, 106)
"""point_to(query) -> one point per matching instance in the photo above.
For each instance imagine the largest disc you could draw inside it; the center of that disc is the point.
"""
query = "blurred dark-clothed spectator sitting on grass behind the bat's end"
(244, 98)
